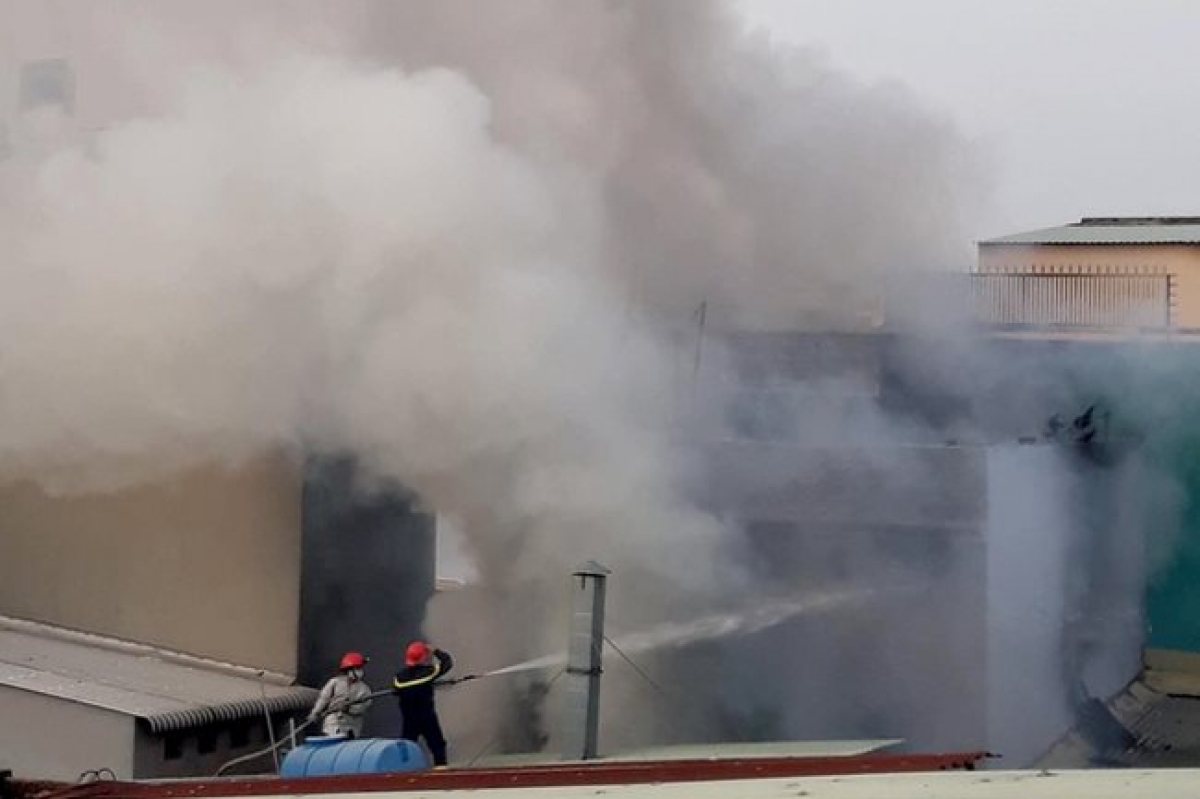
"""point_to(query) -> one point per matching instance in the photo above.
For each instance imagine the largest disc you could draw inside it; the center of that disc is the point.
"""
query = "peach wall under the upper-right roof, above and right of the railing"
(1181, 261)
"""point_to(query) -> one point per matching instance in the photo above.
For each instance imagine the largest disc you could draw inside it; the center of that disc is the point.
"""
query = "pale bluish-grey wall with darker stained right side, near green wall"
(1066, 576)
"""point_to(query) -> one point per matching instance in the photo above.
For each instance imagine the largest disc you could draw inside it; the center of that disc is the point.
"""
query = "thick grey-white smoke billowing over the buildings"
(472, 245)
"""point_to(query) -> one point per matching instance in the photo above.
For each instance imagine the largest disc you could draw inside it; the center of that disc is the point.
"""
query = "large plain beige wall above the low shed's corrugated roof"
(208, 563)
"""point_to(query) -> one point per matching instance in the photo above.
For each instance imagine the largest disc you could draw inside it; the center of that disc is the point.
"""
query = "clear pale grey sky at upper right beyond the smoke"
(1076, 107)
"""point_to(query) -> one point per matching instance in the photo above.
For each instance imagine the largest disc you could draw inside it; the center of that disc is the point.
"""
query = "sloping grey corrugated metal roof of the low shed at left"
(166, 695)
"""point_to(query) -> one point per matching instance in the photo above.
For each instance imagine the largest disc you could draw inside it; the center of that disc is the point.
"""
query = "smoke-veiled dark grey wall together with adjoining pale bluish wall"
(1028, 572)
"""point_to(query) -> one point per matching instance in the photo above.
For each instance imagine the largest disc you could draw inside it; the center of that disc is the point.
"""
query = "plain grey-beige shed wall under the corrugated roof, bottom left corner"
(46, 738)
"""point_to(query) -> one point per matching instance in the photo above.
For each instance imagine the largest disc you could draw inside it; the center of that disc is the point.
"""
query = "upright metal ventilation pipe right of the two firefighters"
(581, 712)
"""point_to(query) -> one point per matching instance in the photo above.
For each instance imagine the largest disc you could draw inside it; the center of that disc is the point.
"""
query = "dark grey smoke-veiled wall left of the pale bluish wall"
(907, 663)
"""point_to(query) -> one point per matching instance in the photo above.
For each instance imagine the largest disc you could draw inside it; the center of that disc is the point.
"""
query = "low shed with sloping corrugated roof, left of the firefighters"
(76, 702)
